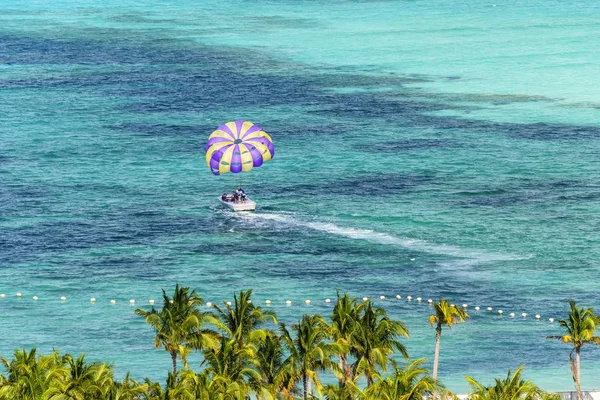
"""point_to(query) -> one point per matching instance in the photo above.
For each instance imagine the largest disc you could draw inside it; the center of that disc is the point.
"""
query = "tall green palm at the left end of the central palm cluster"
(179, 325)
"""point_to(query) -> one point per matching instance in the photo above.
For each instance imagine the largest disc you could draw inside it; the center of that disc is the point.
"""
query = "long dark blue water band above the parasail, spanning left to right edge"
(197, 78)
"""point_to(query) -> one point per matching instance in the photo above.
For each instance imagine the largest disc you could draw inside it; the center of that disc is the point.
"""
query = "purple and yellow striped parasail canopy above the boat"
(238, 146)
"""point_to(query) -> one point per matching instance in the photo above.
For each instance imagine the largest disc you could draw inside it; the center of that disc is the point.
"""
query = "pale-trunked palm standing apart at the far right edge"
(580, 328)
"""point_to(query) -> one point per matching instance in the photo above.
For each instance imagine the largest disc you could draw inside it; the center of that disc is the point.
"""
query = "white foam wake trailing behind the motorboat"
(384, 238)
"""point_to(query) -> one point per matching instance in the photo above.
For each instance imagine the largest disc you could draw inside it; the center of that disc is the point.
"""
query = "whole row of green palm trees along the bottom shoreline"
(248, 354)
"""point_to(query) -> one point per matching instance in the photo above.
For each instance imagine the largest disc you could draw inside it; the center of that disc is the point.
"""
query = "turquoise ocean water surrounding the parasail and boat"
(423, 148)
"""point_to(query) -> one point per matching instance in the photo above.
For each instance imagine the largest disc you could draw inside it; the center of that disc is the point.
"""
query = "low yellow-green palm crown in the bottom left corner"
(29, 376)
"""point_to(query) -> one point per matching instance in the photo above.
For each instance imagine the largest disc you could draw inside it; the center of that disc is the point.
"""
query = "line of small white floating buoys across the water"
(307, 302)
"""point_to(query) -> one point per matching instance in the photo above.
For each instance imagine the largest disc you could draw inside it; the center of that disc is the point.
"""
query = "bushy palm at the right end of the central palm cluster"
(374, 340)
